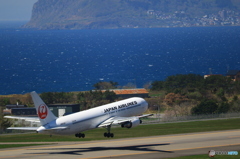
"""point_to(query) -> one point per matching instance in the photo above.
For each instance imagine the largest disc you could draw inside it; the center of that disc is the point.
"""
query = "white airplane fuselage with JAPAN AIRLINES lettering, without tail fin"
(92, 118)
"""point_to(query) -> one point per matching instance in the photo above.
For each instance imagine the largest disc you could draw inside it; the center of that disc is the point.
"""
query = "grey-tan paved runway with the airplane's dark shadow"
(154, 147)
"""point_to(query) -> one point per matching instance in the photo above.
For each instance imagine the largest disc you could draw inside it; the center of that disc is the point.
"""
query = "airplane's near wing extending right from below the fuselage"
(121, 120)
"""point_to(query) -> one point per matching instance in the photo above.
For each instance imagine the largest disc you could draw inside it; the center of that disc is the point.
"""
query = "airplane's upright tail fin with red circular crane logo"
(44, 113)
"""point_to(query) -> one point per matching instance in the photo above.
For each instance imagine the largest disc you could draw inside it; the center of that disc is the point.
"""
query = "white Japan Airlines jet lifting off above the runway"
(125, 113)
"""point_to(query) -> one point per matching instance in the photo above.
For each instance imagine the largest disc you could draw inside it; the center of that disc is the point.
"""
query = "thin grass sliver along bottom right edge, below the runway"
(207, 157)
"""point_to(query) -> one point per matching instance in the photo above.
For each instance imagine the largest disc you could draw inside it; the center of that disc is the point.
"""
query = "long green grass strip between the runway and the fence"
(139, 131)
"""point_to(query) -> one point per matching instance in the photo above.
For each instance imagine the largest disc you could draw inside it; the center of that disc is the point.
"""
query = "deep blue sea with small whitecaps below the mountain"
(74, 60)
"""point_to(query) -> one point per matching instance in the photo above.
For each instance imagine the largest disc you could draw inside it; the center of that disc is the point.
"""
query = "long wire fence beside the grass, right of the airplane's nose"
(162, 118)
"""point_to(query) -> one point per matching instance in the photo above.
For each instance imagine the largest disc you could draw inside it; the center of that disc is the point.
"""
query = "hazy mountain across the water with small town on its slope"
(90, 14)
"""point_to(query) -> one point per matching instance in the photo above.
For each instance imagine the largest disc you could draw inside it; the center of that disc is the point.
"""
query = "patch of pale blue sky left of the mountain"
(16, 10)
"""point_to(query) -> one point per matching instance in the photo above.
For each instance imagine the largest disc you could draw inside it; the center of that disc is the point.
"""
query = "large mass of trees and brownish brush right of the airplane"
(192, 94)
